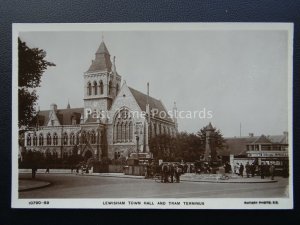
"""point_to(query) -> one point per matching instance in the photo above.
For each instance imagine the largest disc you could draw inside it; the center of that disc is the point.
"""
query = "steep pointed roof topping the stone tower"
(102, 60)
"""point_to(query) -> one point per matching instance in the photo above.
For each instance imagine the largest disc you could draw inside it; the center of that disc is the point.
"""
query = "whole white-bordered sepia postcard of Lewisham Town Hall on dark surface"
(152, 116)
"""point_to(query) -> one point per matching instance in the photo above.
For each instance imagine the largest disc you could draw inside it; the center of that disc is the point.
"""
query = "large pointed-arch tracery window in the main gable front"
(123, 127)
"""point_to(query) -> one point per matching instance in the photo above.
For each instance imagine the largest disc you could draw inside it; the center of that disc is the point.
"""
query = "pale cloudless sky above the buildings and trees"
(241, 76)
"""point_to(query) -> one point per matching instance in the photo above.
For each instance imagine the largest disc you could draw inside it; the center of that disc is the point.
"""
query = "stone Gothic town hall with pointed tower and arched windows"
(115, 121)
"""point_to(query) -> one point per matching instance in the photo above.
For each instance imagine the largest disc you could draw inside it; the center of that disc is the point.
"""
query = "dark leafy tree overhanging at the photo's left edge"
(32, 65)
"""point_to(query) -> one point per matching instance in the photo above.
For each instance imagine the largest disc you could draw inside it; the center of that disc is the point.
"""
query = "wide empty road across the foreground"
(78, 186)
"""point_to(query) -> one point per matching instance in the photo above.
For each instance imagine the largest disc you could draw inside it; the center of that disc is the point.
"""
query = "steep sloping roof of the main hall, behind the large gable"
(141, 99)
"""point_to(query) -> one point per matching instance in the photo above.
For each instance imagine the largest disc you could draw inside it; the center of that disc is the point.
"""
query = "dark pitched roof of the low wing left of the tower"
(64, 116)
